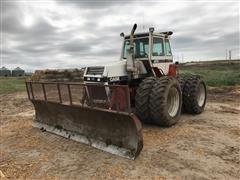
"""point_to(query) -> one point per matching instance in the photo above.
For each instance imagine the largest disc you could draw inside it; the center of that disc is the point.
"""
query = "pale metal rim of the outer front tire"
(173, 102)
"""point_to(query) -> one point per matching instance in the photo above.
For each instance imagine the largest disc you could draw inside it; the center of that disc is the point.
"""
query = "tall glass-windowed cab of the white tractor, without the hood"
(153, 49)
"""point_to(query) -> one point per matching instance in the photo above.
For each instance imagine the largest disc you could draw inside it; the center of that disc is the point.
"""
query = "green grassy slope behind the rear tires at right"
(215, 74)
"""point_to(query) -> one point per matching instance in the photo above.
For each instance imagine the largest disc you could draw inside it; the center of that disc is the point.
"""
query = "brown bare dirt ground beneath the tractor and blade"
(205, 146)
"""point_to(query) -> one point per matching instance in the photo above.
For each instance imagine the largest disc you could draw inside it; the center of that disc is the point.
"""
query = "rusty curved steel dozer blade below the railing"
(118, 133)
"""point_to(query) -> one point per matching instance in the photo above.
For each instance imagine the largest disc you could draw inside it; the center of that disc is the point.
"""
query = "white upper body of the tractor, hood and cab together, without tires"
(143, 55)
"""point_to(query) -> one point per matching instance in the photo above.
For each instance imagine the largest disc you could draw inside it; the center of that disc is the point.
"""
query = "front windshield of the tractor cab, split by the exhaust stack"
(140, 48)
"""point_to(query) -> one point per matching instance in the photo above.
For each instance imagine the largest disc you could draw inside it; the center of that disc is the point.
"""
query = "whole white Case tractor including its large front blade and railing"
(106, 111)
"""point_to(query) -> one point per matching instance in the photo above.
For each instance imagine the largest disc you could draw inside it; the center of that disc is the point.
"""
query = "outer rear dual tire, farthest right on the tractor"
(194, 95)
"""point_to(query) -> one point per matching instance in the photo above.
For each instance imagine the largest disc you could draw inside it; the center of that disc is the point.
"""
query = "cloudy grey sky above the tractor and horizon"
(40, 34)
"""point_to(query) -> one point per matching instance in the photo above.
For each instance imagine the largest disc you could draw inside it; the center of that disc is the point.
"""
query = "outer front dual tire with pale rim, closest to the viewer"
(165, 101)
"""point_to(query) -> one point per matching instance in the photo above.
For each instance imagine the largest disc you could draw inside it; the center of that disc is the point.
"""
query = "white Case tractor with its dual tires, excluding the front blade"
(146, 67)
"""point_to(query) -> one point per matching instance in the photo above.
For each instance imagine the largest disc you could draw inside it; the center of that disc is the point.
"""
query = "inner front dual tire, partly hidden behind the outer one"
(142, 99)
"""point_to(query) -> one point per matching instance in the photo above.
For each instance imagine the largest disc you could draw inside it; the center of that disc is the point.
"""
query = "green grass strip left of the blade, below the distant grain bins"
(12, 84)
